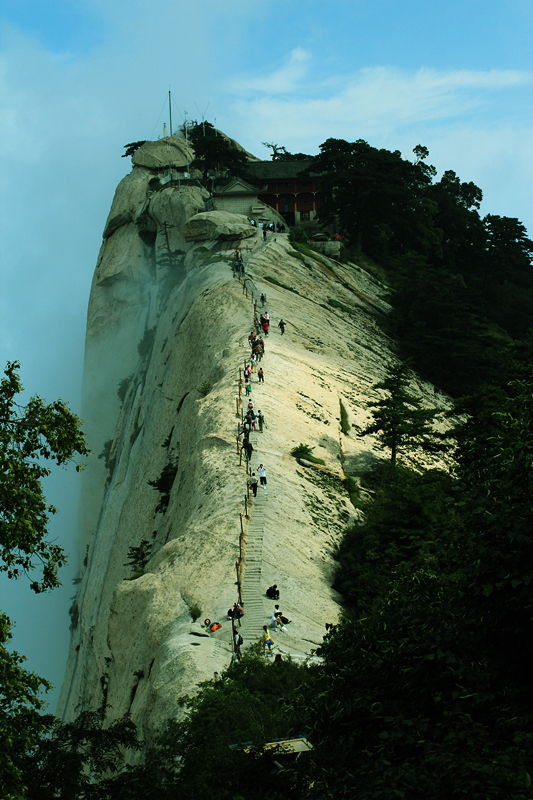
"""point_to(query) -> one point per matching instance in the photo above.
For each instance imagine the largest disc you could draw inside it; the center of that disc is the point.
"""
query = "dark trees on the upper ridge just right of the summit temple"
(462, 286)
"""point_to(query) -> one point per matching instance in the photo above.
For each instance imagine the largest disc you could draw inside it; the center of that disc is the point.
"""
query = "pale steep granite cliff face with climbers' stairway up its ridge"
(166, 315)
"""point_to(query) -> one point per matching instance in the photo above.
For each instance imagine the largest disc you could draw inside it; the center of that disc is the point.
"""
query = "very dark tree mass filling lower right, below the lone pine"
(426, 689)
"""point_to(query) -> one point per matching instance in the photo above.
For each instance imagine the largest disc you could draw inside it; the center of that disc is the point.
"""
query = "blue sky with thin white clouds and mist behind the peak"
(81, 78)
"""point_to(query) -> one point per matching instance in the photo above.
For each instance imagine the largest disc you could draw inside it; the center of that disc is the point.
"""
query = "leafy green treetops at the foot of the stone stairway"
(254, 702)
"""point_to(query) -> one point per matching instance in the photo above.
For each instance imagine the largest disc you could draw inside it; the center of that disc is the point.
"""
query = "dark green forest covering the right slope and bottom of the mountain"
(423, 689)
